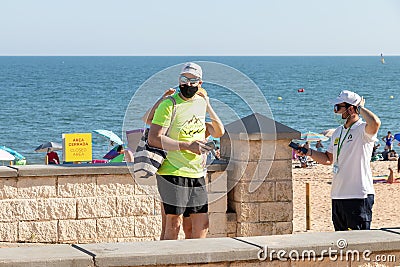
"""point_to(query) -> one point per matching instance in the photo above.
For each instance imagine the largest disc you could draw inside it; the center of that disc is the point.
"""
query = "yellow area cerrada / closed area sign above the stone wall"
(77, 147)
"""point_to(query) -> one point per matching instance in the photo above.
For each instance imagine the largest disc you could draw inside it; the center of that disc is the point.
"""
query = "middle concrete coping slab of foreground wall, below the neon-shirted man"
(171, 252)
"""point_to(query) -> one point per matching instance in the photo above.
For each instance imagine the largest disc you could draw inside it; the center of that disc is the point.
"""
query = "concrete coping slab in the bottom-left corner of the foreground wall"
(49, 256)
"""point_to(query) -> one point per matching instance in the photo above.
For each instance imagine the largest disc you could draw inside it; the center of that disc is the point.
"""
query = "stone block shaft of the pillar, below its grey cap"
(262, 193)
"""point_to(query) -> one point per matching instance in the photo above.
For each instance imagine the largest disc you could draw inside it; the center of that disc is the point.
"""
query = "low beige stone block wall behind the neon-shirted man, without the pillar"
(89, 204)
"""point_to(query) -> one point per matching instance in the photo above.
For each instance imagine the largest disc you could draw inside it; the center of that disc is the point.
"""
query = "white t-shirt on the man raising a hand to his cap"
(354, 178)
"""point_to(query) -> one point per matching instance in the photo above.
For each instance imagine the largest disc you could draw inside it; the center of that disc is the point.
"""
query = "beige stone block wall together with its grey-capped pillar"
(80, 203)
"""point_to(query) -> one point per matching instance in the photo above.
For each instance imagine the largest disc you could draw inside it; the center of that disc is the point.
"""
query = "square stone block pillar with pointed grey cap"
(259, 175)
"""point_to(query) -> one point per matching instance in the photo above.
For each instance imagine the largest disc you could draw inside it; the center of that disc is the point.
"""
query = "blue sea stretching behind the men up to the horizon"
(43, 97)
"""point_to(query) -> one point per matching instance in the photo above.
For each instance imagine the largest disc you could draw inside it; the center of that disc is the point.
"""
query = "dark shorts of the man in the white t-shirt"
(352, 214)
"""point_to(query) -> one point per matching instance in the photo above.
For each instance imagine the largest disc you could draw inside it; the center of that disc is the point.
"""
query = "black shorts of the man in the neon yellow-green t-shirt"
(183, 195)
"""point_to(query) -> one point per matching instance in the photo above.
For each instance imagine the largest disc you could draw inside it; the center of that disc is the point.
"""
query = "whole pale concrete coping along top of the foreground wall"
(200, 251)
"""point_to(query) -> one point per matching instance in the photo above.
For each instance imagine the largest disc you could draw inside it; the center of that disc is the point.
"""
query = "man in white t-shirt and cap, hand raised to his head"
(350, 152)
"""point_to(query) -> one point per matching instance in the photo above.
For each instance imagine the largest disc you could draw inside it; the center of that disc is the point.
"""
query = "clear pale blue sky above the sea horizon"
(206, 27)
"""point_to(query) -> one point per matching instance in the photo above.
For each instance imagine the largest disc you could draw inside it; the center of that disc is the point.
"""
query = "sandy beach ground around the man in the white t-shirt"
(386, 210)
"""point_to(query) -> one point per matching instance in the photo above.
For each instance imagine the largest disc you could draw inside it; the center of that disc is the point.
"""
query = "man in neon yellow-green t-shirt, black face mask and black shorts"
(180, 179)
